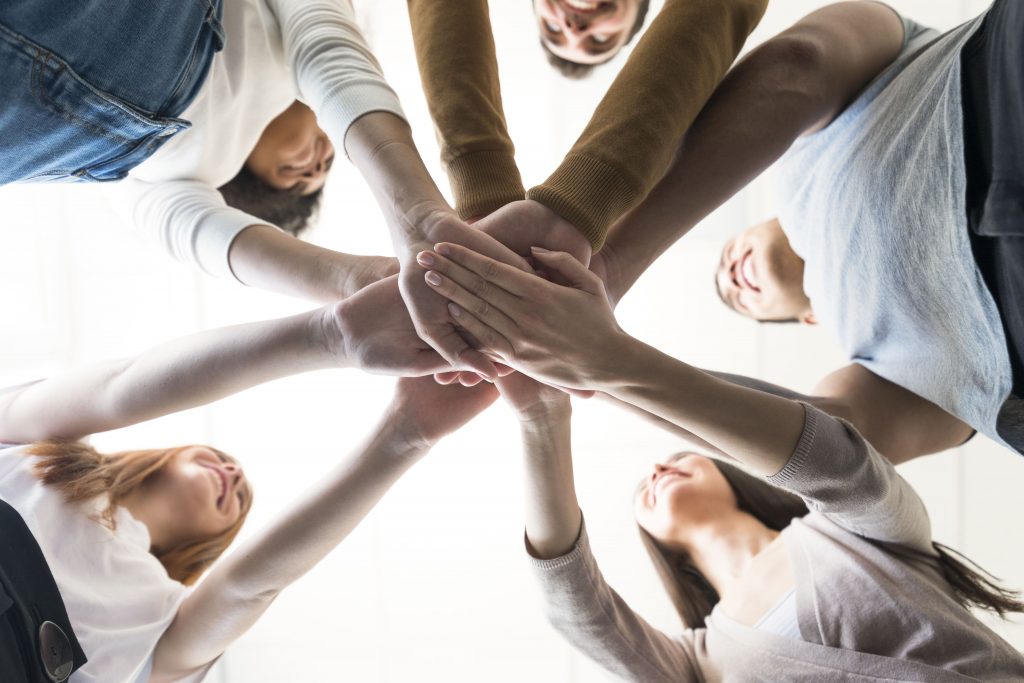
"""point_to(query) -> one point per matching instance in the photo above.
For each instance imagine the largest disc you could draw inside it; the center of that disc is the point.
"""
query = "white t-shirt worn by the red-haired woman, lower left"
(118, 595)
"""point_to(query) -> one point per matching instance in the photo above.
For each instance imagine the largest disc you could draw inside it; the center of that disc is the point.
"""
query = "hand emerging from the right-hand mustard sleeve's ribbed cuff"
(522, 226)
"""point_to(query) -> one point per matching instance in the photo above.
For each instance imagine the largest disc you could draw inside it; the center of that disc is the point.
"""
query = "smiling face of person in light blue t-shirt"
(759, 276)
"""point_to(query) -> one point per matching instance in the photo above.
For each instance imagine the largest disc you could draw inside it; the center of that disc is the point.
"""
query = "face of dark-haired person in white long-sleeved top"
(293, 153)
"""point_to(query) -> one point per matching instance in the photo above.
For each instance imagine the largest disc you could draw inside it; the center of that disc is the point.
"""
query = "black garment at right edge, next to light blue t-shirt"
(993, 65)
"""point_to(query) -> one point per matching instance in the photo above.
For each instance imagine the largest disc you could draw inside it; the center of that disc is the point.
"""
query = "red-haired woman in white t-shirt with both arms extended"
(126, 535)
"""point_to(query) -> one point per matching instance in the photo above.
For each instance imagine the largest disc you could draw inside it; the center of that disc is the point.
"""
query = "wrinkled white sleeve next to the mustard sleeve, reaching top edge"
(336, 74)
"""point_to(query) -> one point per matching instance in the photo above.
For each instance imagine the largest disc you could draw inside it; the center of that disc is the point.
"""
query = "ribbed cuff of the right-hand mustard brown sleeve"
(589, 194)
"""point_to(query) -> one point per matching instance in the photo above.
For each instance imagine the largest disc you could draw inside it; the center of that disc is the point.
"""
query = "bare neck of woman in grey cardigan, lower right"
(724, 548)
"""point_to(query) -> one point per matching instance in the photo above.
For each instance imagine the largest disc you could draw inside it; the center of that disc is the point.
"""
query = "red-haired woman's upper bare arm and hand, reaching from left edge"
(370, 331)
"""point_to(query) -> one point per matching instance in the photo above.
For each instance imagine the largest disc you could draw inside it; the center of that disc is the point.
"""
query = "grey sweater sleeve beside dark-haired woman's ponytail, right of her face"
(841, 476)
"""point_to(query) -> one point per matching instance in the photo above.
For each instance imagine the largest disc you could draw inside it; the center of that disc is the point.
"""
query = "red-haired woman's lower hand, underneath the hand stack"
(431, 412)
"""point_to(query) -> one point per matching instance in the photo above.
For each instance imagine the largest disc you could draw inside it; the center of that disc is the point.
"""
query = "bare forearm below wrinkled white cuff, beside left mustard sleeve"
(381, 147)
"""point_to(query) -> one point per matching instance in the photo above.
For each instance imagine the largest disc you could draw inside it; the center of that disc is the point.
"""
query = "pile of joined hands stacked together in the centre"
(474, 303)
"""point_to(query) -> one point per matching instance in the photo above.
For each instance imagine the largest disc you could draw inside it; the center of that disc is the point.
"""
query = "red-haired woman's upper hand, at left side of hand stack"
(374, 332)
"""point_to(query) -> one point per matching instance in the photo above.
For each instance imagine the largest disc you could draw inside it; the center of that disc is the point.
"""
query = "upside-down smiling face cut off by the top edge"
(587, 32)
